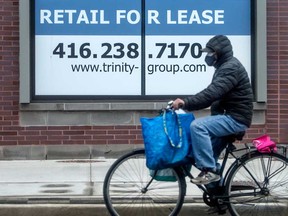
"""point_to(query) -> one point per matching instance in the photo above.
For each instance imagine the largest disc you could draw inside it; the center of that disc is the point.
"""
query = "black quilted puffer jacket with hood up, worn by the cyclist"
(230, 91)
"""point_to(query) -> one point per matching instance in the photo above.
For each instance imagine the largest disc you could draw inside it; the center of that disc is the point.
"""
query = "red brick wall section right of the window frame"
(277, 55)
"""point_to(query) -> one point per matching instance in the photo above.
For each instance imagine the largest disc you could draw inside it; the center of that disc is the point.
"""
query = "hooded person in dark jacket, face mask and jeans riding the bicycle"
(230, 97)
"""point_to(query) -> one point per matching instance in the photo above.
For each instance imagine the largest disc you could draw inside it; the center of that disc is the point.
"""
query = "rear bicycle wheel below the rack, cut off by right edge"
(258, 185)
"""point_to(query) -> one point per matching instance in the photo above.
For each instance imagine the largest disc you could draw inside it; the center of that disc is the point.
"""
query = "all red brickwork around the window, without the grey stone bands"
(13, 134)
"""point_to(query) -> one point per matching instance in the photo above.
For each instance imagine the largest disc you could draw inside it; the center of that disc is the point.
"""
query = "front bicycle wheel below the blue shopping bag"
(130, 190)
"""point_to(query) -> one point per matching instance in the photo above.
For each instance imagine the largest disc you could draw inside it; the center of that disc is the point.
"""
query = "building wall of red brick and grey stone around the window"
(89, 128)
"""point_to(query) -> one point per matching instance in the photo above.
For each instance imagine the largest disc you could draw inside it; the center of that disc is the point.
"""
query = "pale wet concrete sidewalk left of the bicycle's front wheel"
(23, 179)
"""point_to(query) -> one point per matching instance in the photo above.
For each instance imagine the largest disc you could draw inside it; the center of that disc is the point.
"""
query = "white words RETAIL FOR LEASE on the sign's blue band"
(180, 17)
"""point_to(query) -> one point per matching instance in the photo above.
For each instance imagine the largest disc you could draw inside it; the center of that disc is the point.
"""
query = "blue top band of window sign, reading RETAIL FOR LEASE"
(125, 17)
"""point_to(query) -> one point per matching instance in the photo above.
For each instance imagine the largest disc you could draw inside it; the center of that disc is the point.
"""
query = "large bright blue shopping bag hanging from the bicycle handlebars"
(167, 139)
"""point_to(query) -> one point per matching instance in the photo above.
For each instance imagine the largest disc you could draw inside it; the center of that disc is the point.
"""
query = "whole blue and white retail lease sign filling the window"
(127, 47)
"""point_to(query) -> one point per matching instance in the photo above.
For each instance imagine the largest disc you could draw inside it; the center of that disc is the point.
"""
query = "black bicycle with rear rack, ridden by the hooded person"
(255, 183)
